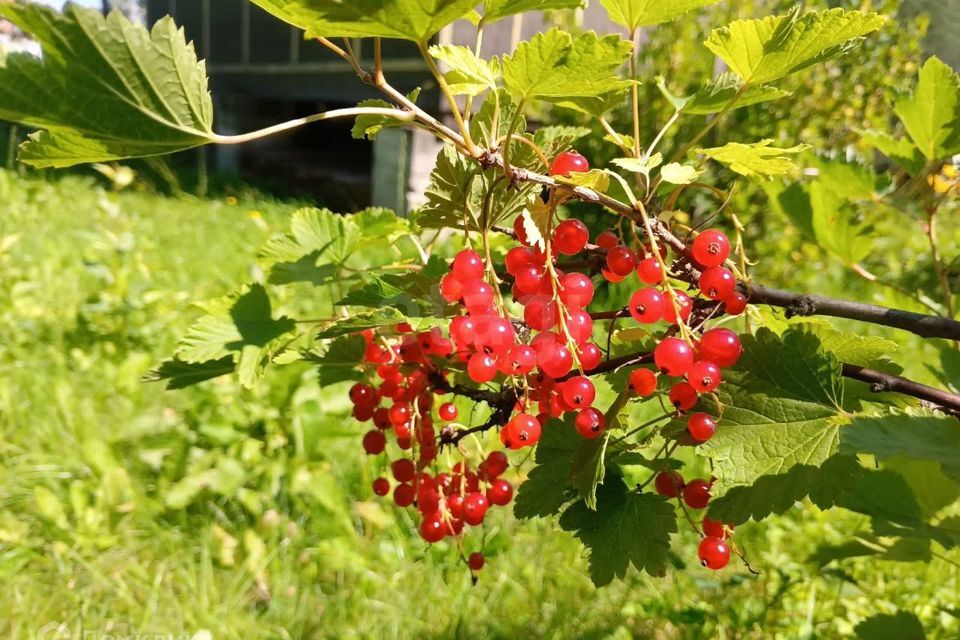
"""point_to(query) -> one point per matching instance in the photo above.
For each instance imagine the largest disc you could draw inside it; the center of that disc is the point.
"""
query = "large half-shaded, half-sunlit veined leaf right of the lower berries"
(781, 407)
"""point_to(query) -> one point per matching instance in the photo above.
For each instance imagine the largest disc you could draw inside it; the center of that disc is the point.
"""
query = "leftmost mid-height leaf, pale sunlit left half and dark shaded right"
(247, 323)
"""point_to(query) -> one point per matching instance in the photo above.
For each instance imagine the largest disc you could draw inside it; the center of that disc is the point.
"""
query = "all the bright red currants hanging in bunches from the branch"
(544, 354)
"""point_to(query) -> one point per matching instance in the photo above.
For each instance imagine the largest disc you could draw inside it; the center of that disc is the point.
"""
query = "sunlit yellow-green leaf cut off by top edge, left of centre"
(416, 20)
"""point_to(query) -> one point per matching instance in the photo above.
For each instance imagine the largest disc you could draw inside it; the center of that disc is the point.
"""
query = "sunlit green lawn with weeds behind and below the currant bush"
(229, 513)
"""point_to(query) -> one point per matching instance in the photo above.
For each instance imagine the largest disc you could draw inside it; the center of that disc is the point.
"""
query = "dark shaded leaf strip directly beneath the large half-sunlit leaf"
(778, 493)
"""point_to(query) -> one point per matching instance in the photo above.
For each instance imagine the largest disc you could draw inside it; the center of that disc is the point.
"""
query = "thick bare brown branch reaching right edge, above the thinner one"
(800, 304)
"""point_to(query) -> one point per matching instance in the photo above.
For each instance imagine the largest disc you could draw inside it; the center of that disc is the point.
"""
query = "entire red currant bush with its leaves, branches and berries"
(482, 313)
